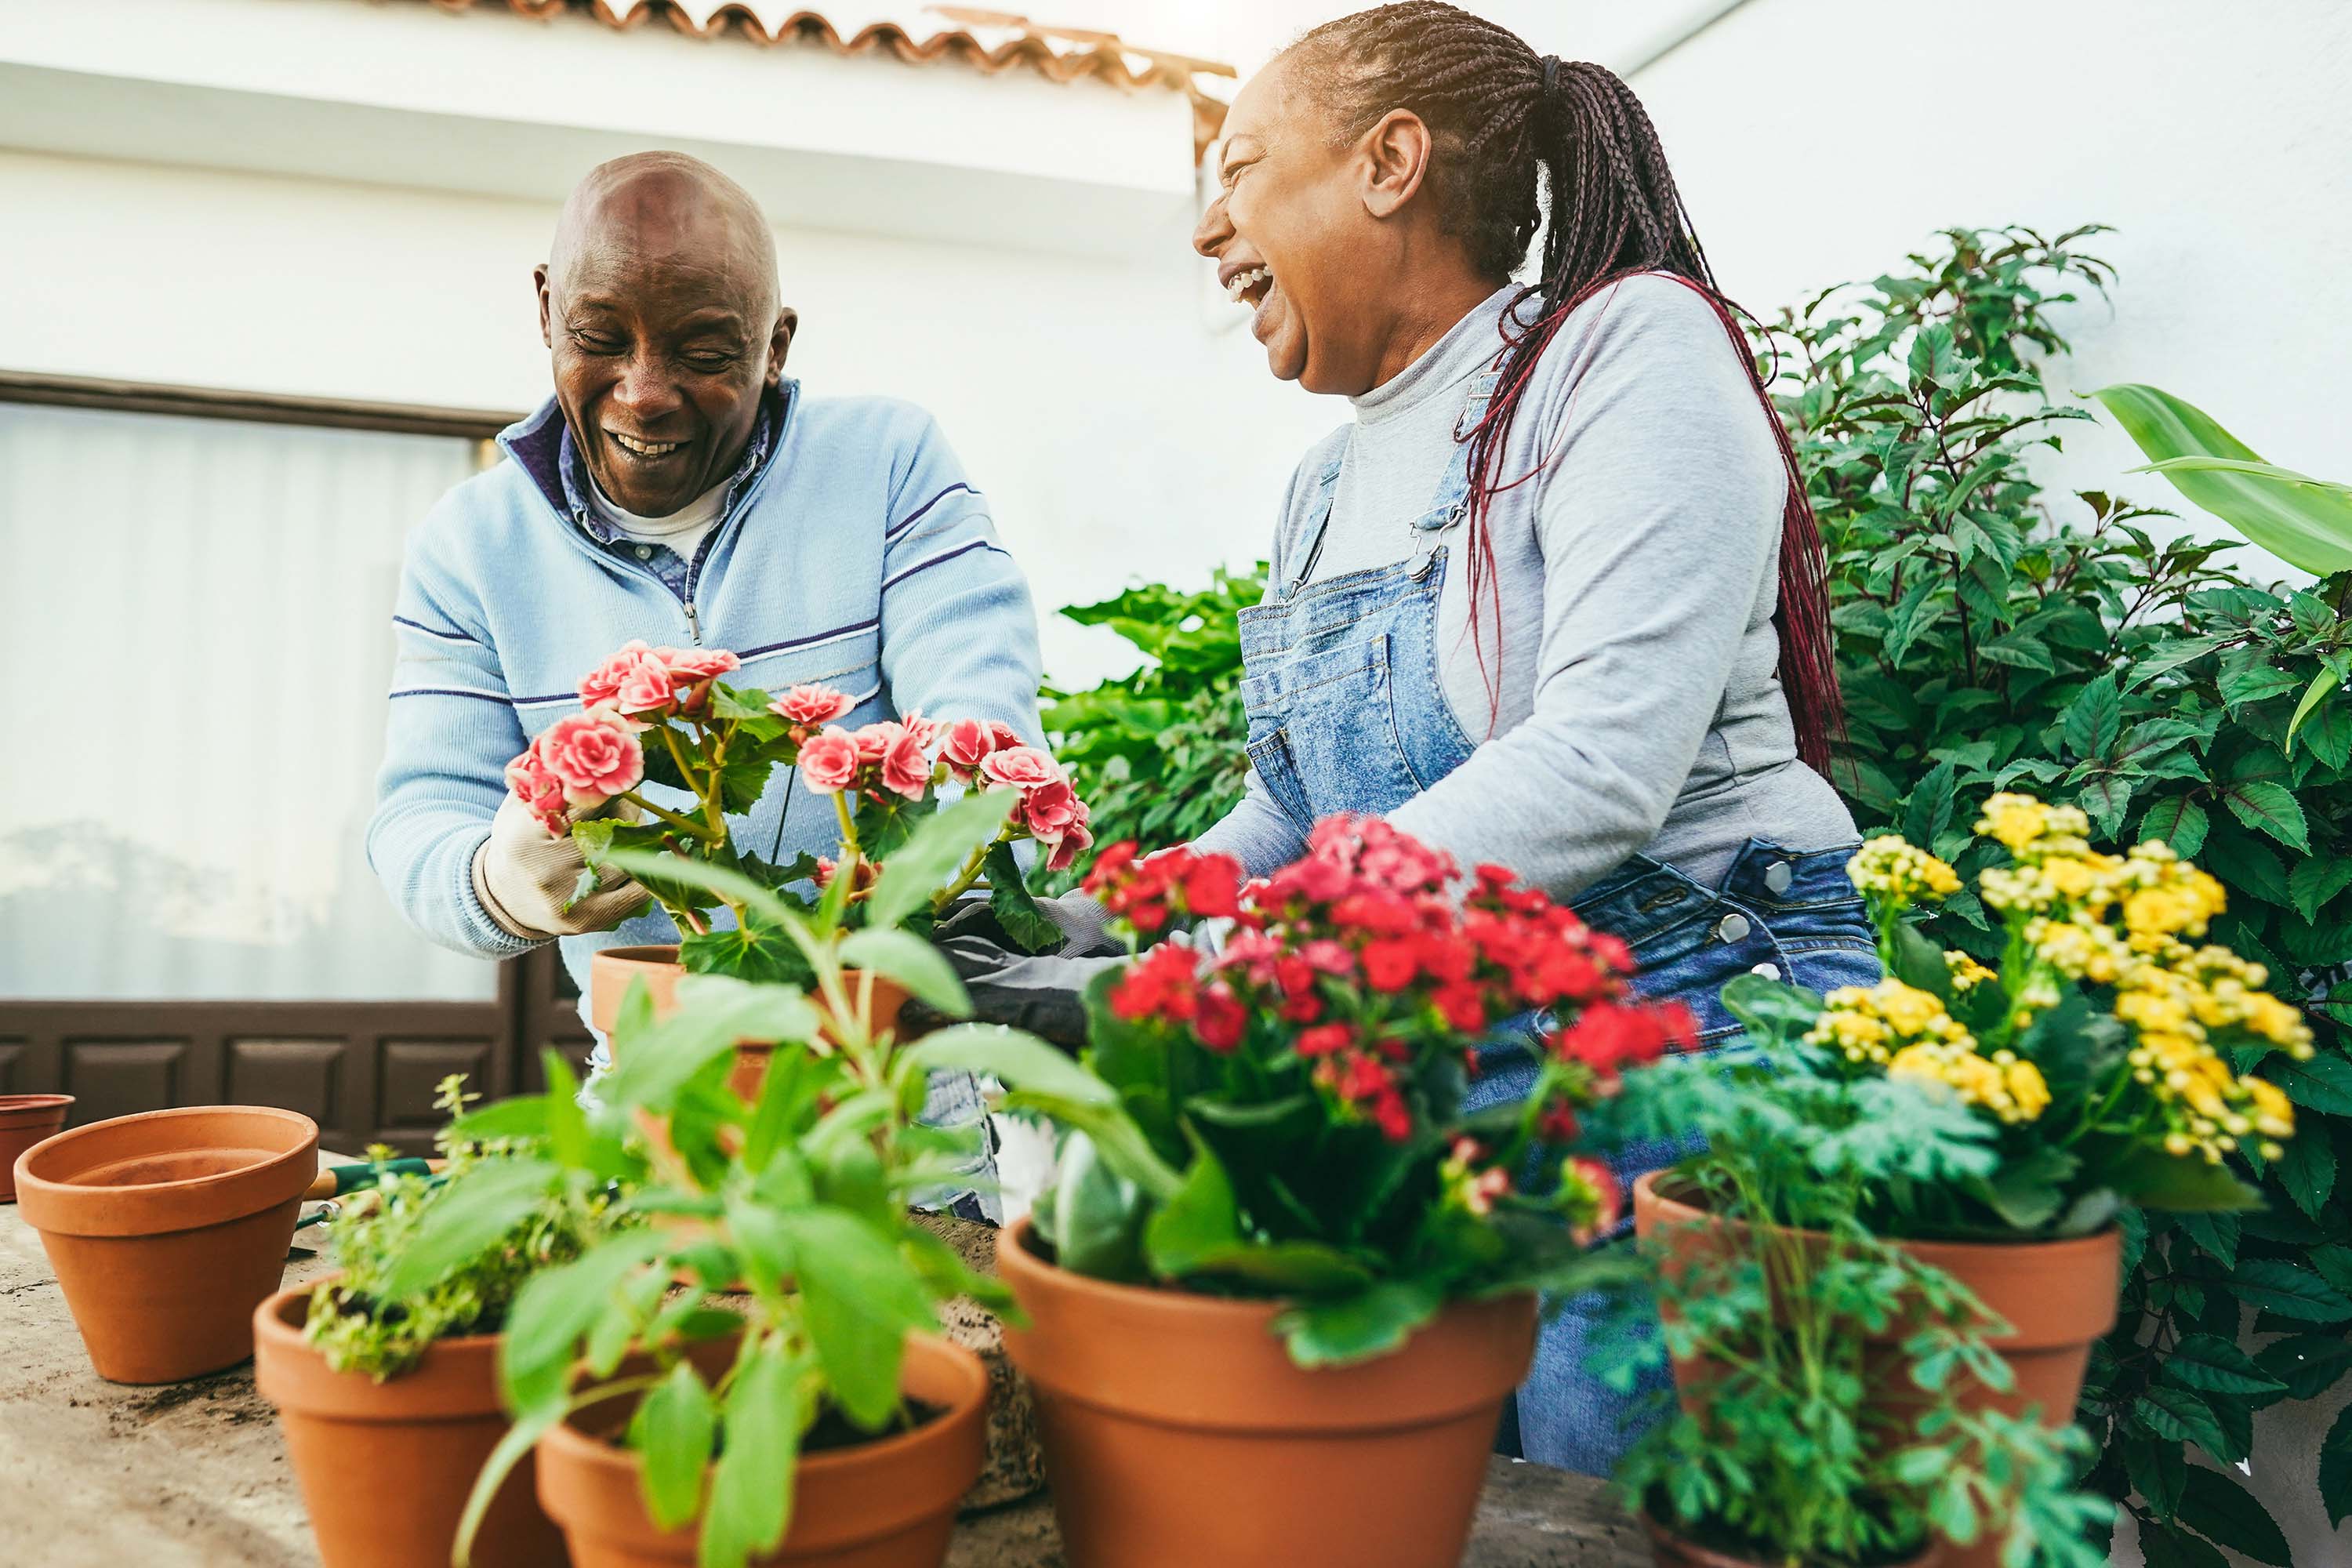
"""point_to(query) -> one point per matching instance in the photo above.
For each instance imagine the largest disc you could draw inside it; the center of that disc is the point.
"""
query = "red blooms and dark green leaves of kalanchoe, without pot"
(1290, 1113)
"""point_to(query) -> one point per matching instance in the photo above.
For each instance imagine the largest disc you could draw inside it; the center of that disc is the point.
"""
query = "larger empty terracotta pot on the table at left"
(168, 1228)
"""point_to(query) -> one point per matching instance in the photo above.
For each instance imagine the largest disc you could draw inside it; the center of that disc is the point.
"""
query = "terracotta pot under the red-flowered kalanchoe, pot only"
(1177, 1430)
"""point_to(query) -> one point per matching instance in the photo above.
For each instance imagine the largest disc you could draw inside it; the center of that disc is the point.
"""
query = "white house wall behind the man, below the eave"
(1116, 422)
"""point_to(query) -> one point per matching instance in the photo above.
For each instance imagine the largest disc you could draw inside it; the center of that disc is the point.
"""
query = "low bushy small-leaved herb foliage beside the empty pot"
(392, 1304)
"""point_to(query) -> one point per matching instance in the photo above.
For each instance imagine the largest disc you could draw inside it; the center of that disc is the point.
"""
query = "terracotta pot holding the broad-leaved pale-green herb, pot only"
(876, 1506)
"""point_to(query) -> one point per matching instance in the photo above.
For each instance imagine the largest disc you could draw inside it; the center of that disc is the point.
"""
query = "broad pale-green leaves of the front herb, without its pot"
(787, 1217)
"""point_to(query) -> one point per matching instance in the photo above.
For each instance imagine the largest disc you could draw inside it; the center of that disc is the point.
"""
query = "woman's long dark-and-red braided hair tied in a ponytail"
(1499, 114)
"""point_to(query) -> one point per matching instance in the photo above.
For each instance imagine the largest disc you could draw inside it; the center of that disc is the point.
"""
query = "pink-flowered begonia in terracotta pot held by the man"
(667, 718)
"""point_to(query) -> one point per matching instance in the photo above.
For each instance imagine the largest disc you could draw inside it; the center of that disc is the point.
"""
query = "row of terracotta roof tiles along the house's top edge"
(980, 39)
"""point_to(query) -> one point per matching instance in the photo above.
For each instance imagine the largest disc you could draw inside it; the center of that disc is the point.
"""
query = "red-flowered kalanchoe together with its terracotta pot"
(1283, 1287)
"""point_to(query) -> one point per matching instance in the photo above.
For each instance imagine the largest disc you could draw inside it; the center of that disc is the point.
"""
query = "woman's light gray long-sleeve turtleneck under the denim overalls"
(1631, 695)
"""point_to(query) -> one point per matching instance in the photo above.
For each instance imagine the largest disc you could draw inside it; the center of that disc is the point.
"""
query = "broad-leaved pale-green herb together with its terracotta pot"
(794, 1402)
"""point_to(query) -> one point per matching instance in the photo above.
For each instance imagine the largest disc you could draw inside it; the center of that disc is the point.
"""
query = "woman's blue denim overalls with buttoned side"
(1349, 713)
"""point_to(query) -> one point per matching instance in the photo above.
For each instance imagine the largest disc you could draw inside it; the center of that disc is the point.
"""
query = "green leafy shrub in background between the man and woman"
(1161, 753)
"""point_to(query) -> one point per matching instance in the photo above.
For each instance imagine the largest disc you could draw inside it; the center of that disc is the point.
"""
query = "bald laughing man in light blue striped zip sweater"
(676, 488)
